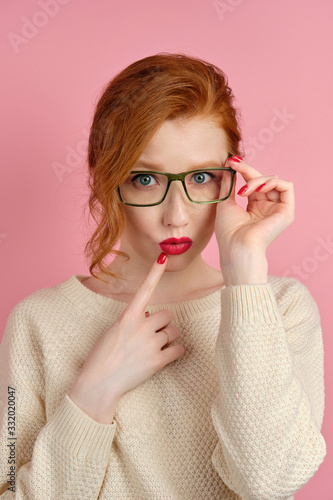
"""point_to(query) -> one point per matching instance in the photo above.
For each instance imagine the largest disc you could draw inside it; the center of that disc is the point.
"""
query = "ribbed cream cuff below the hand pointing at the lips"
(80, 434)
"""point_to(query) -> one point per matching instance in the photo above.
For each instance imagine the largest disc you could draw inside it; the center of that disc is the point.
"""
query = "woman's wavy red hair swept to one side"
(132, 107)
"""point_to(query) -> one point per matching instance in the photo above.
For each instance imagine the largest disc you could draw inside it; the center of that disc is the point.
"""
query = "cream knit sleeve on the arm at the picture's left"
(65, 457)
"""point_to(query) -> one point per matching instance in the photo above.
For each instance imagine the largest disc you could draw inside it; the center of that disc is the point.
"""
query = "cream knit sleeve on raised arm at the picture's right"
(269, 409)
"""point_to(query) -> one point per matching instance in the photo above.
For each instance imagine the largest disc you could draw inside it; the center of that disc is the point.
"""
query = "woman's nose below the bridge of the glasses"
(176, 205)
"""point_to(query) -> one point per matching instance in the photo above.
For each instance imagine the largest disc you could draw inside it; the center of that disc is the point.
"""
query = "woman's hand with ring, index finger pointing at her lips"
(127, 354)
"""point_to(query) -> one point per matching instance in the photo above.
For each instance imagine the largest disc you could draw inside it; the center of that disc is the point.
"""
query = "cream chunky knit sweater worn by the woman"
(239, 415)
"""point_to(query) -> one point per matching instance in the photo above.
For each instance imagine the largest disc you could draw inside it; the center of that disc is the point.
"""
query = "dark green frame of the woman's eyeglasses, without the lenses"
(181, 177)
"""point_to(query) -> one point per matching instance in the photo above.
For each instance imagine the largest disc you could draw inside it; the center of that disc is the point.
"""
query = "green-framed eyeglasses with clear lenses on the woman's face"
(147, 189)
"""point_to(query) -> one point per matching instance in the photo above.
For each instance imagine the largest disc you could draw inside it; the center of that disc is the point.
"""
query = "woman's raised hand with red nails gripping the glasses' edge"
(268, 213)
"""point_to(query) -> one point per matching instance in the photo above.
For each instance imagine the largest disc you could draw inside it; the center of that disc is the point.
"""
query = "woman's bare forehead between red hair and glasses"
(186, 142)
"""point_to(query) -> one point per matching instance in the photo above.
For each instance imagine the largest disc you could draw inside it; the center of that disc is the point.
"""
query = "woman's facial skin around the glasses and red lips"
(179, 145)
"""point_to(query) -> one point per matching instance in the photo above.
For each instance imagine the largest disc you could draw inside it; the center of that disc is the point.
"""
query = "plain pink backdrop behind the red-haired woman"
(58, 55)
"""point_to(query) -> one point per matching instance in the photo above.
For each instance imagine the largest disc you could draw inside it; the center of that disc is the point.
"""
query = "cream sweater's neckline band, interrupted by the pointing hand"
(99, 304)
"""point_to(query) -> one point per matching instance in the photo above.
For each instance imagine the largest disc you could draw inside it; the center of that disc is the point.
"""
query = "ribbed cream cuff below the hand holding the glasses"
(249, 304)
